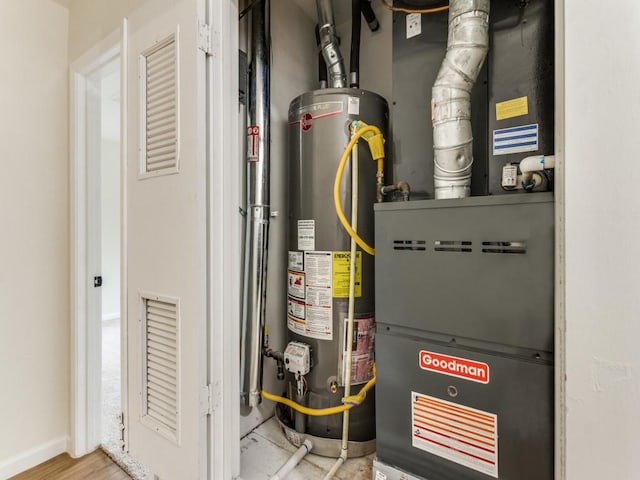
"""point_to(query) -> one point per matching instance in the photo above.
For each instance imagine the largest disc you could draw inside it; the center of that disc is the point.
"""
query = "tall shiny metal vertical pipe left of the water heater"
(258, 210)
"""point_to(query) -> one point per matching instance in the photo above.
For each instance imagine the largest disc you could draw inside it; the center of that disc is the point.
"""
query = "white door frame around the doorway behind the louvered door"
(85, 336)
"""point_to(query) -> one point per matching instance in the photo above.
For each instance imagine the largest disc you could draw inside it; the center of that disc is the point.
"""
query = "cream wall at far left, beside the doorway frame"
(34, 258)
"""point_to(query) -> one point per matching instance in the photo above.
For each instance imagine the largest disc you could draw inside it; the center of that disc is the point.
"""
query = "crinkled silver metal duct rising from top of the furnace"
(467, 46)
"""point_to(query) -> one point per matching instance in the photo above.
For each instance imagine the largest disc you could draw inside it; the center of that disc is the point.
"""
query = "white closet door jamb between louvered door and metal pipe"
(224, 230)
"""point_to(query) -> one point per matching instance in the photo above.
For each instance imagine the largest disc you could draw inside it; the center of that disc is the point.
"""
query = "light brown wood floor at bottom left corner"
(95, 466)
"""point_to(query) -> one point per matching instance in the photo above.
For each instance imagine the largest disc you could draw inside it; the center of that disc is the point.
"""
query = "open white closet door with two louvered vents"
(166, 239)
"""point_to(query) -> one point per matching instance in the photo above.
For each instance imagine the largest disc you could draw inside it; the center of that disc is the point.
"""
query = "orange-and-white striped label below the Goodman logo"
(461, 434)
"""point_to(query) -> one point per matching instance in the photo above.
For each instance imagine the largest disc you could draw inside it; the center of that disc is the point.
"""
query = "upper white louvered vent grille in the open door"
(159, 114)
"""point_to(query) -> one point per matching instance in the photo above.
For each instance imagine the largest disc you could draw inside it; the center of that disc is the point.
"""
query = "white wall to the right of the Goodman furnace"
(602, 117)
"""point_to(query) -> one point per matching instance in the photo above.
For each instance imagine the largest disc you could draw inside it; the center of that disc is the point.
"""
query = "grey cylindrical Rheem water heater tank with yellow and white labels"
(319, 257)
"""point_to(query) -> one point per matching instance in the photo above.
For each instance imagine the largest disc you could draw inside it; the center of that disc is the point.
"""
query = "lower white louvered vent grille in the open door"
(160, 409)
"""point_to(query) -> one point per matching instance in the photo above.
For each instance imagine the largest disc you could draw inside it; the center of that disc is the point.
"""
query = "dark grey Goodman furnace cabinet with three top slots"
(464, 340)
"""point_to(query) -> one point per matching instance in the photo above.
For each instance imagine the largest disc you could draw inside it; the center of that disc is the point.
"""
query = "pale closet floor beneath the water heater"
(265, 450)
